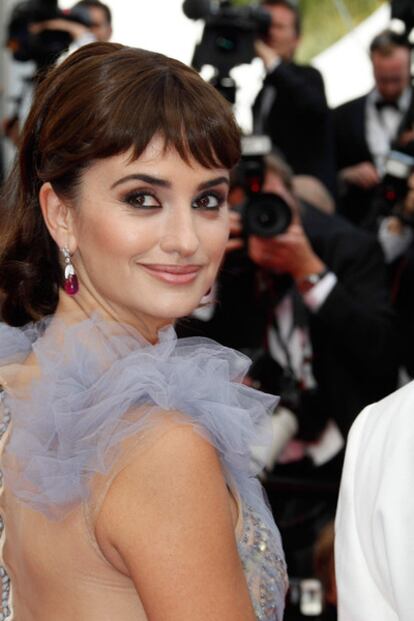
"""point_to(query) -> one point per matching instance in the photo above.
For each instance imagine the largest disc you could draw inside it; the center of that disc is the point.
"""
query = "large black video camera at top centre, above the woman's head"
(228, 37)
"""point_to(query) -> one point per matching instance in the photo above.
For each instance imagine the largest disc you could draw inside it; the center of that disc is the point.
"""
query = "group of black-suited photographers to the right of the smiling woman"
(323, 309)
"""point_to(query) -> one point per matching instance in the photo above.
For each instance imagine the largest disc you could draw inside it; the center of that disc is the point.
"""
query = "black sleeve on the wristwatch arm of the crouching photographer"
(357, 317)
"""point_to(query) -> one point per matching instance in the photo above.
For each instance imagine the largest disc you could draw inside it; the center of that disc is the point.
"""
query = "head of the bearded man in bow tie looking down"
(391, 57)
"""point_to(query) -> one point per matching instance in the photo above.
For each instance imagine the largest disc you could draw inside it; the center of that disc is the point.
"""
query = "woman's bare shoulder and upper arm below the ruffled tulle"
(167, 514)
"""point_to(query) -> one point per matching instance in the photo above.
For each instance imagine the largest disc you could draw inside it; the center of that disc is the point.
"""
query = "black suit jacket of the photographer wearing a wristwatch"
(353, 334)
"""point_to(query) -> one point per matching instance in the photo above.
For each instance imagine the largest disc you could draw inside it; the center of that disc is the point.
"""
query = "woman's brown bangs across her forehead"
(191, 117)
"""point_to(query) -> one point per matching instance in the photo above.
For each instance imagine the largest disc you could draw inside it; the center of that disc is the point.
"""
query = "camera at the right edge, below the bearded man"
(393, 188)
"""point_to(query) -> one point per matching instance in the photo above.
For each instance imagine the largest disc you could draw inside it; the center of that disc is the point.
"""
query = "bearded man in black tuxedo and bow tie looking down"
(366, 128)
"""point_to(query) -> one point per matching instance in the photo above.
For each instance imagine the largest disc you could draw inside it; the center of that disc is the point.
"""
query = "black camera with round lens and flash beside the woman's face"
(263, 213)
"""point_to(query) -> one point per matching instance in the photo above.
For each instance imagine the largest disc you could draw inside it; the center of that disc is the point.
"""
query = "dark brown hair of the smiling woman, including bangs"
(103, 100)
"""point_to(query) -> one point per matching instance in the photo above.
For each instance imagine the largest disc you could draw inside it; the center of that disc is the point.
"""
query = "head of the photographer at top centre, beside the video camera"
(284, 32)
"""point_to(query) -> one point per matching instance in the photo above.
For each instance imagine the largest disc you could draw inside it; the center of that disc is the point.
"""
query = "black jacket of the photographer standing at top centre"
(299, 122)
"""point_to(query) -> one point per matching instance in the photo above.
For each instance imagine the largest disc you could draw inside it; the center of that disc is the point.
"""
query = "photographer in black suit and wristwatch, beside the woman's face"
(317, 297)
